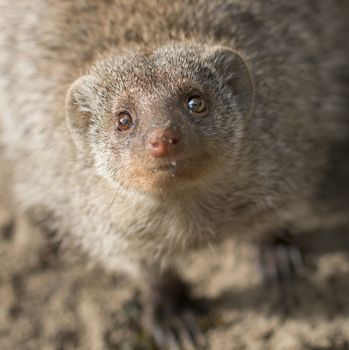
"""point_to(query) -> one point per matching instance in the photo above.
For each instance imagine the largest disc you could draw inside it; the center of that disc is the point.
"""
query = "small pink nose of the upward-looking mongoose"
(163, 142)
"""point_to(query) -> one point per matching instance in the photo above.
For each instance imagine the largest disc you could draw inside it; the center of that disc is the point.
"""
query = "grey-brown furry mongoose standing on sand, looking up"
(147, 129)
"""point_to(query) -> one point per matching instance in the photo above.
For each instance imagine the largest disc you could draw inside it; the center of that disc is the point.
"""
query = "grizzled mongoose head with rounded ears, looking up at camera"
(161, 119)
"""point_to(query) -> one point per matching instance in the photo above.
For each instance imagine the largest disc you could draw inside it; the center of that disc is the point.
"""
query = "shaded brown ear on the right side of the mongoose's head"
(235, 73)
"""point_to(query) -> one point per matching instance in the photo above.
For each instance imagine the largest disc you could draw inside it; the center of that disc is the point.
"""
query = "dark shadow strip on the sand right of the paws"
(302, 298)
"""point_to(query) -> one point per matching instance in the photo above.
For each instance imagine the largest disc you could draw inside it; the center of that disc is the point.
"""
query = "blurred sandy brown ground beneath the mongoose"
(51, 300)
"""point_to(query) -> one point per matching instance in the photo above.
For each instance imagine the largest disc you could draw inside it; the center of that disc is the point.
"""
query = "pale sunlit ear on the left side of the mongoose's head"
(79, 108)
